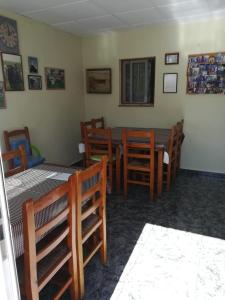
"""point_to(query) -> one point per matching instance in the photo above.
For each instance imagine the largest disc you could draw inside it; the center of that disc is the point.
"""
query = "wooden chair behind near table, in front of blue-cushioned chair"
(11, 155)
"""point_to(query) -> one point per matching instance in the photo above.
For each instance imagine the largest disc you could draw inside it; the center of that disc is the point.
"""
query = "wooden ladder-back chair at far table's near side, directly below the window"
(138, 157)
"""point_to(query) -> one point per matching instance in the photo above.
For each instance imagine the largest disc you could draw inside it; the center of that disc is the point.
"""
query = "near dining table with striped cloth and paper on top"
(32, 184)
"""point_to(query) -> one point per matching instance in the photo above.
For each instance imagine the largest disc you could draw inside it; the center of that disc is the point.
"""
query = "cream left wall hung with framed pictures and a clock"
(52, 116)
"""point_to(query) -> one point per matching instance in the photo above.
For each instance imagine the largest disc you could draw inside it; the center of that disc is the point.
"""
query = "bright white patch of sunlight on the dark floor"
(171, 264)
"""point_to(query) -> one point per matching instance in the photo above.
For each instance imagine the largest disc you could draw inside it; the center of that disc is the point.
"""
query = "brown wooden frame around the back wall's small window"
(151, 98)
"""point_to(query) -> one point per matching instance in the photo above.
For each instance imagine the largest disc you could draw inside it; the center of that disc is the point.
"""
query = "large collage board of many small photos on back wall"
(206, 73)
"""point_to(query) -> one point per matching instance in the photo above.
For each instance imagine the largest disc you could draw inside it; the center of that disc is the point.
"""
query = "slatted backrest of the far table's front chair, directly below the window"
(139, 144)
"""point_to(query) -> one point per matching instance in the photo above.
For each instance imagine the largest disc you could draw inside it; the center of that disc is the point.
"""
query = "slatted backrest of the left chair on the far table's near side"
(98, 141)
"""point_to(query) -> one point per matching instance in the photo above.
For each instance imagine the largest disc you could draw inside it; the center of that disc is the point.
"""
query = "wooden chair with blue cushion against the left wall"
(15, 138)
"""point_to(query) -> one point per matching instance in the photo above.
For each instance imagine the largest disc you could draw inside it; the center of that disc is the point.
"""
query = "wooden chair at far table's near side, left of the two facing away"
(98, 142)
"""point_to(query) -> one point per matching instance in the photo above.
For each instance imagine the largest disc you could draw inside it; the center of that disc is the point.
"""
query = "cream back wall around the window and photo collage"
(204, 115)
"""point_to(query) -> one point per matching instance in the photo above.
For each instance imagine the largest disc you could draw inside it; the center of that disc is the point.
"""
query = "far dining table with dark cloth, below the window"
(161, 146)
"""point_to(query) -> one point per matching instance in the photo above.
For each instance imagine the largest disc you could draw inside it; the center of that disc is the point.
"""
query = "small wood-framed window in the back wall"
(137, 81)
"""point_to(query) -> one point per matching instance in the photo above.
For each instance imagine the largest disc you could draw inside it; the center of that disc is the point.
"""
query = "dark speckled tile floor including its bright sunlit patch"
(196, 204)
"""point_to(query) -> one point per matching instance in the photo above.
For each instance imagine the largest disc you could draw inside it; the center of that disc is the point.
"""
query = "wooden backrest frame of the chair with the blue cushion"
(15, 134)
